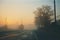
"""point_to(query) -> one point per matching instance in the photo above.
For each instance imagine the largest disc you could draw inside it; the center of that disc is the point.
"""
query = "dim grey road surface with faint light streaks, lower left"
(25, 35)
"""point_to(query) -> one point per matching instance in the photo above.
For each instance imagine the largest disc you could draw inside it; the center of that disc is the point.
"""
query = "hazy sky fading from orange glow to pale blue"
(17, 10)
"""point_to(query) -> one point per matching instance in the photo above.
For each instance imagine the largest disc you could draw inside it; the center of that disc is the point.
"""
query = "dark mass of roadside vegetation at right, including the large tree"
(46, 29)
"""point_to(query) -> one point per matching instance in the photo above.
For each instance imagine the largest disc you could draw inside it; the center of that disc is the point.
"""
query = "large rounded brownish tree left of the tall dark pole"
(43, 16)
